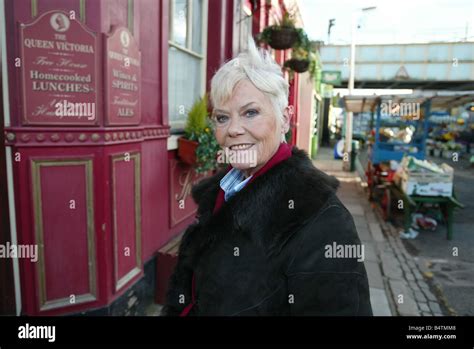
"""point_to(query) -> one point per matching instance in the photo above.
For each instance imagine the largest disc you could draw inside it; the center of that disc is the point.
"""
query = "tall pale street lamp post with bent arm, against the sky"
(348, 140)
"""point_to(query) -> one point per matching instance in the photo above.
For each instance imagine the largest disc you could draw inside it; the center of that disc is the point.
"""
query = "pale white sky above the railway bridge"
(393, 21)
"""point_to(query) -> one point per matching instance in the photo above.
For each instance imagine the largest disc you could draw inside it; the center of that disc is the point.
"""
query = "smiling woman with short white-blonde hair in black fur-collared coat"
(262, 243)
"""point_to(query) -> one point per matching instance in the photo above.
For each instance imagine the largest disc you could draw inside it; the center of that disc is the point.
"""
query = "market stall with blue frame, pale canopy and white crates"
(399, 138)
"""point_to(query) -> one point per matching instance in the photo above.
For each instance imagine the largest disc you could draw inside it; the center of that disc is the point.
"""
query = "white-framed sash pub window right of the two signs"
(186, 58)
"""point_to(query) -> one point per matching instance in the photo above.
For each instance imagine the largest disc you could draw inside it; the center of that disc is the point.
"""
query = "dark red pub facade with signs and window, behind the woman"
(92, 101)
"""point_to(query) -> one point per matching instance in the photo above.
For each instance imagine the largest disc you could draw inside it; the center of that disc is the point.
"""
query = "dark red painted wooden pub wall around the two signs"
(64, 234)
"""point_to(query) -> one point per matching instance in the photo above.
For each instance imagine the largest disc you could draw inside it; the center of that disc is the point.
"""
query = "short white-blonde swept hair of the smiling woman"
(257, 66)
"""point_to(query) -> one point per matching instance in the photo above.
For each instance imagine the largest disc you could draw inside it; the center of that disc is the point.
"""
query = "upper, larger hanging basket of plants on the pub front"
(282, 36)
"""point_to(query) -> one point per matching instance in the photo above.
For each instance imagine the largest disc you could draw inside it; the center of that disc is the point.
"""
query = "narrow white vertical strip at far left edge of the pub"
(8, 154)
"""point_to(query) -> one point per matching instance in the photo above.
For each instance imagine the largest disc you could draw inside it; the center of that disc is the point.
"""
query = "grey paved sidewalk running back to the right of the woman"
(399, 284)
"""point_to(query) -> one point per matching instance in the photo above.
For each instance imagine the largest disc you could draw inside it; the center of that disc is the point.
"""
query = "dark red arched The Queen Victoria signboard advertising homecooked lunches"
(60, 78)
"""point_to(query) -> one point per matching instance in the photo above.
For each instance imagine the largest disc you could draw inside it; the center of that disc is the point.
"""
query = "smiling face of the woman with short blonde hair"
(247, 126)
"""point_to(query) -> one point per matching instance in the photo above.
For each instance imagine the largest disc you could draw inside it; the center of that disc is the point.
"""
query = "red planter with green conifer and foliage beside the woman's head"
(198, 147)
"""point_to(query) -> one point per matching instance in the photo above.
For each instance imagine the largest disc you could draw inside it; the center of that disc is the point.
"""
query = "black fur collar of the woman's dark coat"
(272, 207)
